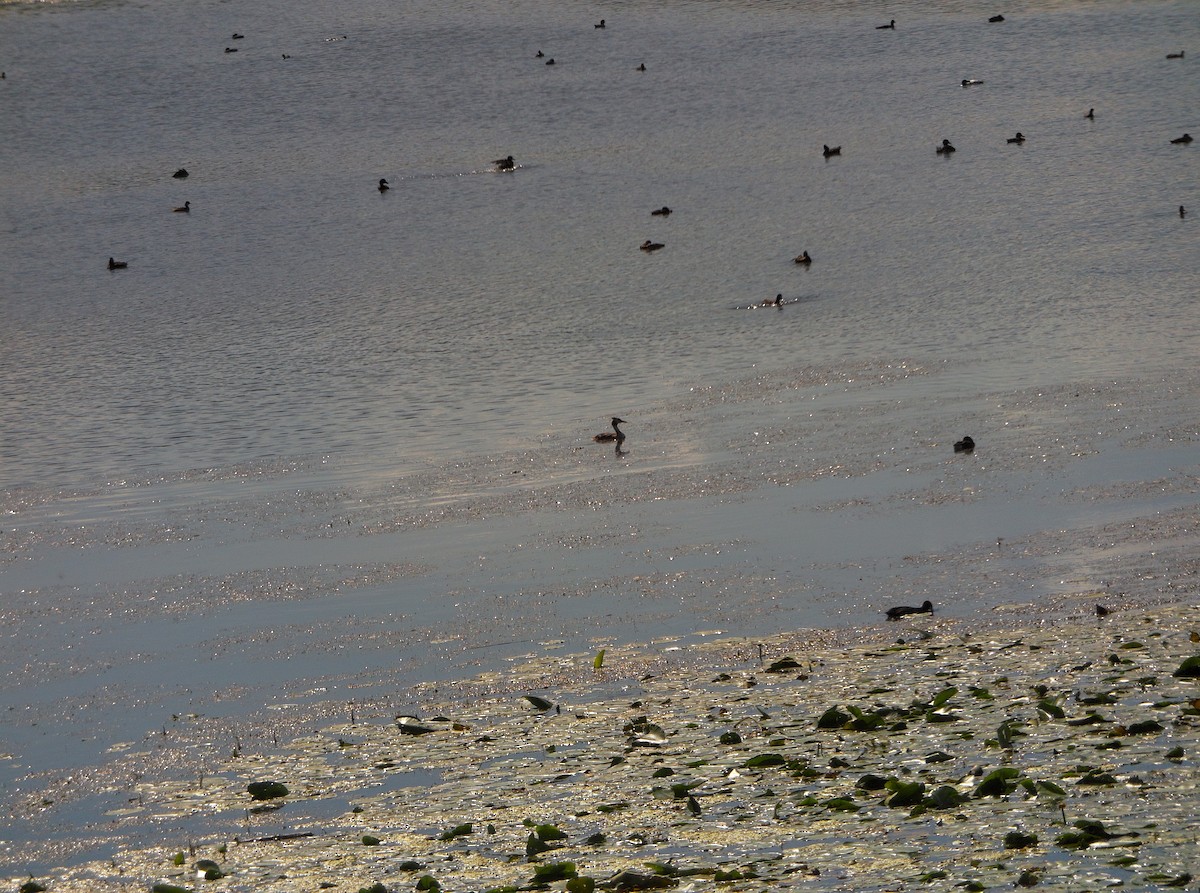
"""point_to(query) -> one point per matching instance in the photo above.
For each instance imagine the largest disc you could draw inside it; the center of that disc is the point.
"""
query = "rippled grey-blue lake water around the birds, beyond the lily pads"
(319, 441)
